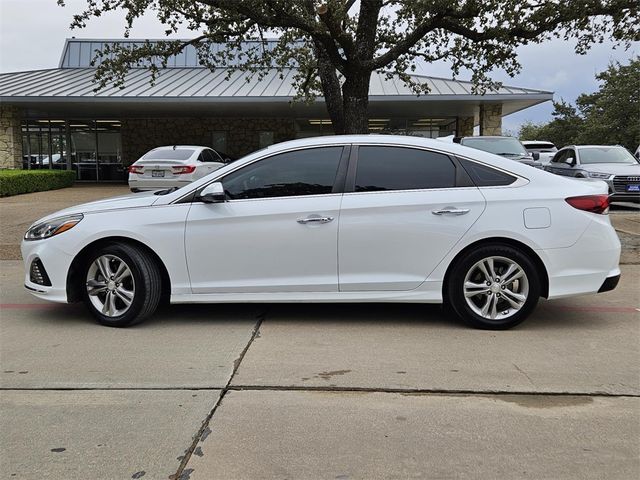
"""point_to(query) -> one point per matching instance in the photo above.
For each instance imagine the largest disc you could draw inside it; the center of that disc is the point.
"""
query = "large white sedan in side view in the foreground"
(336, 219)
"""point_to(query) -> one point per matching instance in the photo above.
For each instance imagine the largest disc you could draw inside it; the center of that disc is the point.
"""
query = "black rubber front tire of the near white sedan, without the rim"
(148, 284)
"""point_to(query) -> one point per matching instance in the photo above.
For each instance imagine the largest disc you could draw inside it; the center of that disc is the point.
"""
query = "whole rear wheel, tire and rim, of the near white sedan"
(494, 287)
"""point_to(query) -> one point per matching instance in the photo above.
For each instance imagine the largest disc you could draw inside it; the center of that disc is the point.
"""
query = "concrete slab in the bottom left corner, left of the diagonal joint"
(98, 434)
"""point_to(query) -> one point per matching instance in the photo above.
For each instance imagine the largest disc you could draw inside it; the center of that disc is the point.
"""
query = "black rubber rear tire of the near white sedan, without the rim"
(456, 301)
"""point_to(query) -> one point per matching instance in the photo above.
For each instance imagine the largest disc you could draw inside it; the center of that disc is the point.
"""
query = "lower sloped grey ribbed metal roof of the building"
(179, 84)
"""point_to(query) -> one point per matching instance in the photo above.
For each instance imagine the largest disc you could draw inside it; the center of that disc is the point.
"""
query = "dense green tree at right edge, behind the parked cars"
(609, 116)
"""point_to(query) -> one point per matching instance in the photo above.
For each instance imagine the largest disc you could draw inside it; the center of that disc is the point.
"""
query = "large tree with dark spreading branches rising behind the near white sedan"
(337, 44)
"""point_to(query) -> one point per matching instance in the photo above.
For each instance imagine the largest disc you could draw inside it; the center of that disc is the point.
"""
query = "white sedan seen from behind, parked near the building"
(174, 166)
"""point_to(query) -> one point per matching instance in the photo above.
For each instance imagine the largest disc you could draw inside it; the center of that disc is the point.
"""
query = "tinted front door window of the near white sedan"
(304, 172)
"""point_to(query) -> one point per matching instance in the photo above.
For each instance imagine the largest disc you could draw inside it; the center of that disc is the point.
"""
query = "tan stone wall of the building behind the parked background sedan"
(139, 135)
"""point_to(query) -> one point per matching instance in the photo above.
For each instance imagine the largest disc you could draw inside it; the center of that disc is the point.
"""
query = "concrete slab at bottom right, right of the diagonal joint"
(306, 435)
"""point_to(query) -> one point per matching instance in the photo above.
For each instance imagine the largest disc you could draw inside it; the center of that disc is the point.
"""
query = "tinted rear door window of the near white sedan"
(397, 168)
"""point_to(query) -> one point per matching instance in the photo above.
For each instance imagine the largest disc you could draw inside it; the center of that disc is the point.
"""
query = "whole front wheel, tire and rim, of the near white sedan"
(122, 285)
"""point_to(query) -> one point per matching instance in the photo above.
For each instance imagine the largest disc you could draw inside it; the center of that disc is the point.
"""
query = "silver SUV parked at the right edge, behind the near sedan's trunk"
(611, 163)
